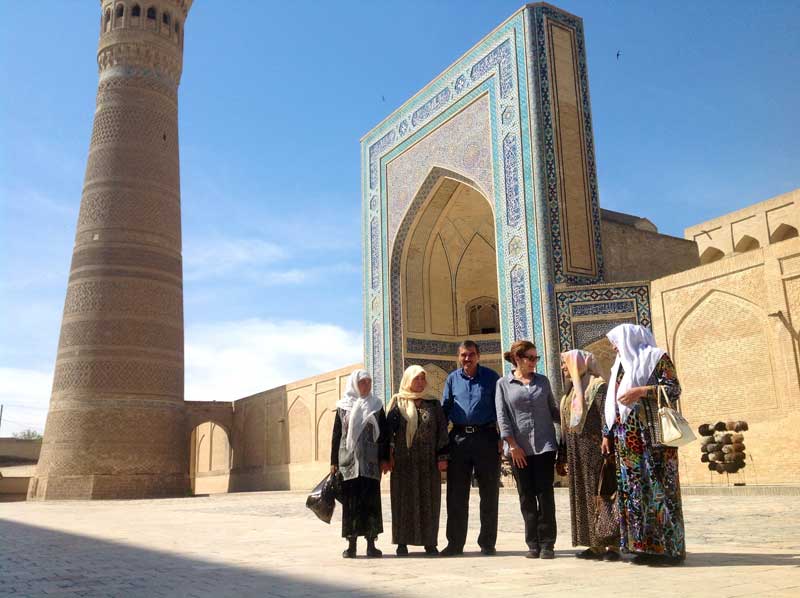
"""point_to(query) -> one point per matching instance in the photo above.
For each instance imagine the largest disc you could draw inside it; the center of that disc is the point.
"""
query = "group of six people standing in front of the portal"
(599, 425)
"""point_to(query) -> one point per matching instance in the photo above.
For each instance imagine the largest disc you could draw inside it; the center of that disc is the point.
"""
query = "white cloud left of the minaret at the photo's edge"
(25, 395)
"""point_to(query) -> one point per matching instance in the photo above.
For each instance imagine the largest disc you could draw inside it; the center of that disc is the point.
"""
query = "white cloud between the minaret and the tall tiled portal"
(226, 361)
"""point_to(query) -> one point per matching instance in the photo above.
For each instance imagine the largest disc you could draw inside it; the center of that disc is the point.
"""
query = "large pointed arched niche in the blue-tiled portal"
(443, 258)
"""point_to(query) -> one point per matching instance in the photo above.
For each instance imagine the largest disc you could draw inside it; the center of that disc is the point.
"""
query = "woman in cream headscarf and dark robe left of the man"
(419, 440)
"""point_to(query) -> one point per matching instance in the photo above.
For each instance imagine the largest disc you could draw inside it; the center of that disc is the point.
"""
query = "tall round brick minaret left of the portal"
(115, 428)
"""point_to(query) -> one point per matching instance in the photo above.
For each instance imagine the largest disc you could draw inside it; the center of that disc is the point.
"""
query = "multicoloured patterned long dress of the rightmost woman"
(649, 491)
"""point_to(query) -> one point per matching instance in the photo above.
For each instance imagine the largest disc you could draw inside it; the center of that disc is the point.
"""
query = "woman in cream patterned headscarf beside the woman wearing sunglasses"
(580, 454)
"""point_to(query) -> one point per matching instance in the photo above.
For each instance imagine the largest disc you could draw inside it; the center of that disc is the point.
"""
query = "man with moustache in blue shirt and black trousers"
(468, 402)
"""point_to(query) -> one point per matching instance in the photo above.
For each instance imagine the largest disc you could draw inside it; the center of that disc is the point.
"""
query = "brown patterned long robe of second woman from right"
(584, 459)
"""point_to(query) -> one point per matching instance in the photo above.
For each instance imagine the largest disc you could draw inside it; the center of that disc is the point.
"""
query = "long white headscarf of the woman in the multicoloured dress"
(638, 355)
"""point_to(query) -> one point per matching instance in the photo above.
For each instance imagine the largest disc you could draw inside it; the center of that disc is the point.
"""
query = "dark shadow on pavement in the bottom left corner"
(36, 561)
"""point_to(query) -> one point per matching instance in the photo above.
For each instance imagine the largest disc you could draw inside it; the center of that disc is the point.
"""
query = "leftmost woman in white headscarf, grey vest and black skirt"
(360, 451)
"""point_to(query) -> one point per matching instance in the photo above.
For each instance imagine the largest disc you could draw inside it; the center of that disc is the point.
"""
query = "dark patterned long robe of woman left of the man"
(416, 487)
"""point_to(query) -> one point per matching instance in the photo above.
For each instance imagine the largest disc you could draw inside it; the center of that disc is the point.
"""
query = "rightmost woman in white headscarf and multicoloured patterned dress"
(649, 493)
